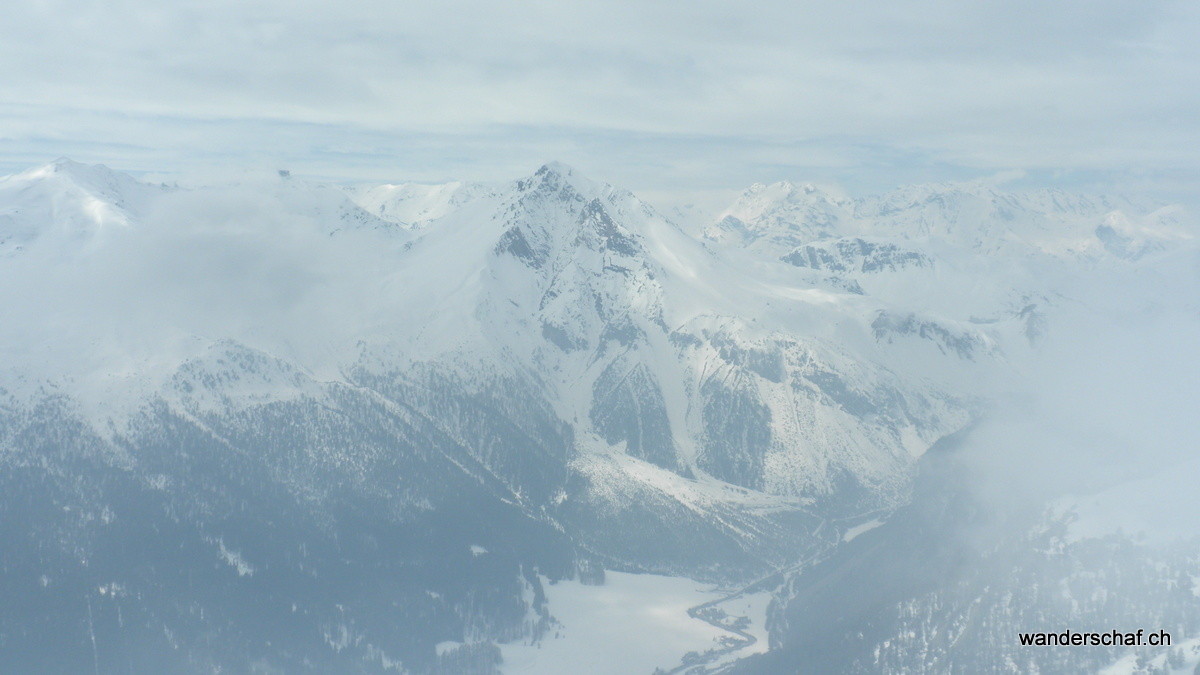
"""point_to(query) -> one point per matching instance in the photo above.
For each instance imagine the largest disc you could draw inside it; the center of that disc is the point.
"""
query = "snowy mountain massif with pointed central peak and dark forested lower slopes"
(382, 421)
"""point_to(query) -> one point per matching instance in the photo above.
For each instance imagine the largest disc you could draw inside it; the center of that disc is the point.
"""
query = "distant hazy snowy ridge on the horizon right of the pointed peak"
(773, 220)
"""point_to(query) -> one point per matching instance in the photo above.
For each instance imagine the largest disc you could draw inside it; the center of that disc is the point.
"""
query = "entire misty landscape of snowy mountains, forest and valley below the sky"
(811, 428)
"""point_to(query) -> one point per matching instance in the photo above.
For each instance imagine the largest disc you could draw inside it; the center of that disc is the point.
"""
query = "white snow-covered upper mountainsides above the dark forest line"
(110, 288)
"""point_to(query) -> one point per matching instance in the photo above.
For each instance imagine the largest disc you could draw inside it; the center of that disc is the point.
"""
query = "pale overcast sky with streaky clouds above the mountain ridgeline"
(650, 95)
